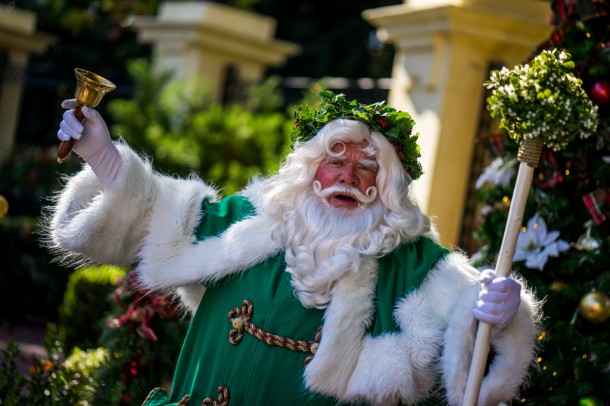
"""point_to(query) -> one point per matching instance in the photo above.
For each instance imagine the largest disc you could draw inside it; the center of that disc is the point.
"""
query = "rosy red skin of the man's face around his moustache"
(353, 168)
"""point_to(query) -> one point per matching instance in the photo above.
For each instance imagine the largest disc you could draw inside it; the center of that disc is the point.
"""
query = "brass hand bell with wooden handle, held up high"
(90, 88)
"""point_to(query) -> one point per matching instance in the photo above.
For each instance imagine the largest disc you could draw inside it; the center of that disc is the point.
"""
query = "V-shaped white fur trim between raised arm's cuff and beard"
(171, 257)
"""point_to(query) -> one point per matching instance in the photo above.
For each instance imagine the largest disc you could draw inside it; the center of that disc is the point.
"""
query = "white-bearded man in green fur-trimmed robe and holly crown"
(322, 284)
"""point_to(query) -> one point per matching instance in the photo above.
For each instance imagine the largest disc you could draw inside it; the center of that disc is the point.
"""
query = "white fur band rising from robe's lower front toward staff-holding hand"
(402, 367)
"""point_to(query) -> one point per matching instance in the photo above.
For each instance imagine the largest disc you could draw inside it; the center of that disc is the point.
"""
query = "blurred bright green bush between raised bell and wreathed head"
(177, 124)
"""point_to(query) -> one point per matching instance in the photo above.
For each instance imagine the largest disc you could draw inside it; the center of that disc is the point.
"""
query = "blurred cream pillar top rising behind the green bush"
(205, 39)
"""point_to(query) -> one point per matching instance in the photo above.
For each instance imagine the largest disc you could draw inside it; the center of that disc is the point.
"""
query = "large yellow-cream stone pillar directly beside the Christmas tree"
(443, 49)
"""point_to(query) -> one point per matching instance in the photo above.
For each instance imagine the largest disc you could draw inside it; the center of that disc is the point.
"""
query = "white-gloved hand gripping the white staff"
(499, 299)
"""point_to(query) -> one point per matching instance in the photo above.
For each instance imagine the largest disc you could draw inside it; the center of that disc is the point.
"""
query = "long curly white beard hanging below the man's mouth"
(324, 243)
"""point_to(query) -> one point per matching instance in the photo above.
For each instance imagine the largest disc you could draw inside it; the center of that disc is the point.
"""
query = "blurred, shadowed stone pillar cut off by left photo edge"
(18, 40)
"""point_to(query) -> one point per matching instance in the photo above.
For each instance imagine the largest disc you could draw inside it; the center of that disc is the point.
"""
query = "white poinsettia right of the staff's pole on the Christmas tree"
(536, 244)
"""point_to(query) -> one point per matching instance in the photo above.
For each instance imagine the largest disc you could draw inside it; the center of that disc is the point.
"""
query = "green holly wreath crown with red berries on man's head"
(396, 126)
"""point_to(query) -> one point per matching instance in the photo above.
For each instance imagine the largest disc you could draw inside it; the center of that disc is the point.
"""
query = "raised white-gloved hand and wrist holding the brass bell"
(93, 141)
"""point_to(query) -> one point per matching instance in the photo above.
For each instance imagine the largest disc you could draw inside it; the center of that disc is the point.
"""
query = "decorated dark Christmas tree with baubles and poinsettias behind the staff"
(562, 249)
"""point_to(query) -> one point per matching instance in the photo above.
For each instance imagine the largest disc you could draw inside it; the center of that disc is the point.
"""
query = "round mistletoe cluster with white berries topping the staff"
(542, 100)
